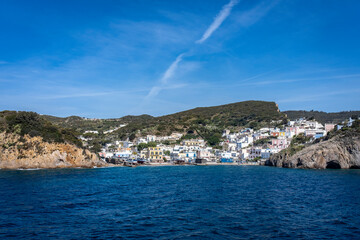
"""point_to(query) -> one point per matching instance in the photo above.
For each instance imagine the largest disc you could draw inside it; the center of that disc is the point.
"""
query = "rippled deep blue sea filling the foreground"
(197, 202)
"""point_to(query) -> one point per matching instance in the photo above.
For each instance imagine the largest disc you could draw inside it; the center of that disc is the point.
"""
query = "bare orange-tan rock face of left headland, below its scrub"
(32, 152)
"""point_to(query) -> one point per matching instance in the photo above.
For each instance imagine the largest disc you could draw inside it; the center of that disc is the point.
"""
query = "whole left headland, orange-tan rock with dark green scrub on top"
(27, 140)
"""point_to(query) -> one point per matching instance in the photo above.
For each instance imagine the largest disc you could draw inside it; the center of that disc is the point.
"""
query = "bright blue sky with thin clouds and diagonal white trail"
(113, 58)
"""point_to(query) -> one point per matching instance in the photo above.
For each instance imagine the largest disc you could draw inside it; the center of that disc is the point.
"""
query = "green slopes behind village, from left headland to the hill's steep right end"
(205, 122)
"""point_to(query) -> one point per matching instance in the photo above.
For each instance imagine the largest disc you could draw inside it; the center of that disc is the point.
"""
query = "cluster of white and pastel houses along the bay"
(247, 146)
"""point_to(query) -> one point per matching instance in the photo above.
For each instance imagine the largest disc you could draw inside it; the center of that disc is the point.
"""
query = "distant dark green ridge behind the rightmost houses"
(322, 117)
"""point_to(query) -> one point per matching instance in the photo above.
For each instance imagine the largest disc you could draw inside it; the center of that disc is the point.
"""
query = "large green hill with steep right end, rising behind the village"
(207, 121)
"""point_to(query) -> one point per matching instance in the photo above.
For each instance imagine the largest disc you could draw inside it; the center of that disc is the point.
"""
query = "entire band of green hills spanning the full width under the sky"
(205, 122)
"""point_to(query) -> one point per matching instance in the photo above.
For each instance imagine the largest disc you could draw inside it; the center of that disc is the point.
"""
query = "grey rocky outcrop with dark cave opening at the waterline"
(342, 151)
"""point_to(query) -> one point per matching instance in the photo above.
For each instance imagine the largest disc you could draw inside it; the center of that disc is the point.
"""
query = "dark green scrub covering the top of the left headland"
(33, 124)
